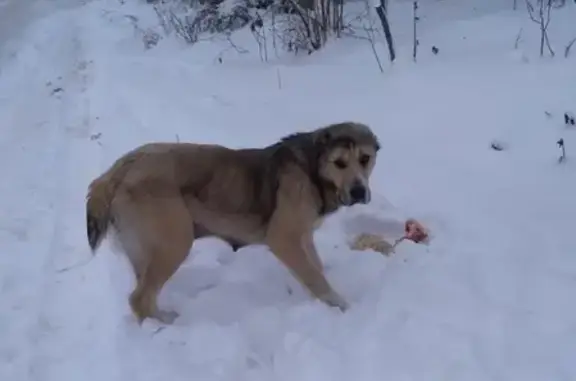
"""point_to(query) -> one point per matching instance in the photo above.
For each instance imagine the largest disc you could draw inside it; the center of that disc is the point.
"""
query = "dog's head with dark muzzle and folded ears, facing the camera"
(346, 156)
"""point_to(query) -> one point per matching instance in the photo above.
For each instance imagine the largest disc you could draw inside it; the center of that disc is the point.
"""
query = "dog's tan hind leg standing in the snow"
(166, 232)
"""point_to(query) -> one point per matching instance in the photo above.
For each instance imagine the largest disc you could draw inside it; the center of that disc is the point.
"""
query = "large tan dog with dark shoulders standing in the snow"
(160, 197)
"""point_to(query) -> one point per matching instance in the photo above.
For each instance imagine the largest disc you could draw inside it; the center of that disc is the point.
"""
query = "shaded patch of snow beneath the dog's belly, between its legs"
(226, 293)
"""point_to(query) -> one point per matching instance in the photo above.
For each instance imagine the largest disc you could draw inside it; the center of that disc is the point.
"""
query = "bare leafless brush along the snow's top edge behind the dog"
(295, 23)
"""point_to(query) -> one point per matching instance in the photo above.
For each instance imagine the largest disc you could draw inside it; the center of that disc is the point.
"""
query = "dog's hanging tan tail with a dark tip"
(99, 200)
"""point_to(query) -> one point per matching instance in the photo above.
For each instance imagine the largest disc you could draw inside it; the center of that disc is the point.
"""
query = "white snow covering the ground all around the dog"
(489, 299)
